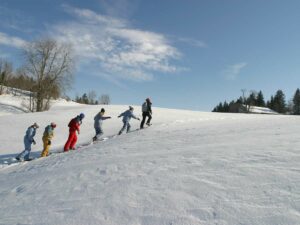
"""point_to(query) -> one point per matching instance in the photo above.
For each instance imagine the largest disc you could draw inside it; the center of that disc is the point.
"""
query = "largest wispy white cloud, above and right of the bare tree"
(113, 47)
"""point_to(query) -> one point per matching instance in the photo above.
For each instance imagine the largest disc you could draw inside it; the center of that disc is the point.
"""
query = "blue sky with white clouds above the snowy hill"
(182, 54)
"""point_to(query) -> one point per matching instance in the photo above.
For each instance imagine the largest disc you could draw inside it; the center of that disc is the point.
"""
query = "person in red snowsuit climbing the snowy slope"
(74, 126)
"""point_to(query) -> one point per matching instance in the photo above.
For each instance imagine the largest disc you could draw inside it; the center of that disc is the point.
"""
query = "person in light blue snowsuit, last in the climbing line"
(28, 140)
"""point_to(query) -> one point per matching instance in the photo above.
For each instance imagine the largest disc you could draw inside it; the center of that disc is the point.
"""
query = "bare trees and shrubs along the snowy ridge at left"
(46, 73)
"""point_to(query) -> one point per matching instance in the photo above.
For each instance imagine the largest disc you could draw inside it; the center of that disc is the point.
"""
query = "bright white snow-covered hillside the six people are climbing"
(188, 168)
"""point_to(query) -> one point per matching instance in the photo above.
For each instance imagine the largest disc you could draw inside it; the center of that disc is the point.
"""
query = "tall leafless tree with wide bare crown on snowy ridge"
(50, 64)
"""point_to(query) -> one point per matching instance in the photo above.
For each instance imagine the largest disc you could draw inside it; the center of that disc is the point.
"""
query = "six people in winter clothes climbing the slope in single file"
(74, 129)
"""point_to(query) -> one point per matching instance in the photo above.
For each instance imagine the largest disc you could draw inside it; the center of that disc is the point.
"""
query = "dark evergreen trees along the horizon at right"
(277, 102)
